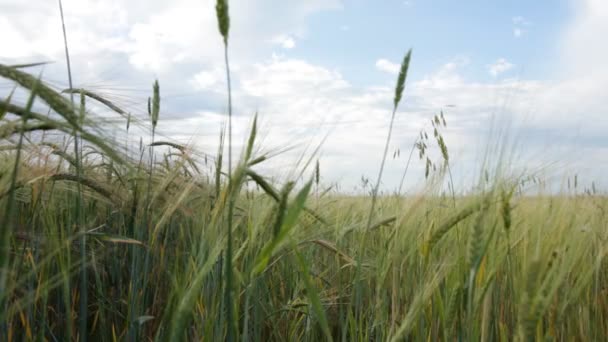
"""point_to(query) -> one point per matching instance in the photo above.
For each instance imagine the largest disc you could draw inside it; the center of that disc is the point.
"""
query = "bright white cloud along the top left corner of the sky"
(154, 34)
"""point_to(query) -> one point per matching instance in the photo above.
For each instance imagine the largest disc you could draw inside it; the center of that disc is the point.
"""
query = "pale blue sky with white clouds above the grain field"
(526, 75)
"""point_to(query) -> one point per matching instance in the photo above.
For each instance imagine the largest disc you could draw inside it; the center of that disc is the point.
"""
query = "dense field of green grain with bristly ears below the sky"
(105, 241)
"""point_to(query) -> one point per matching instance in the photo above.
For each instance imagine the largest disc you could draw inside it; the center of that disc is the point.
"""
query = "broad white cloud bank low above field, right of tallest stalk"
(300, 103)
